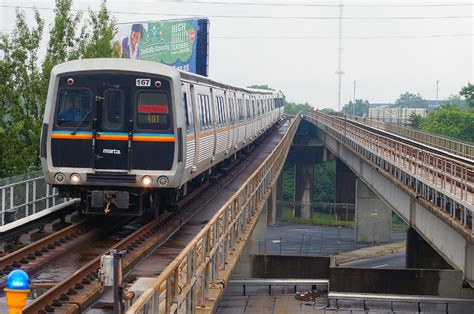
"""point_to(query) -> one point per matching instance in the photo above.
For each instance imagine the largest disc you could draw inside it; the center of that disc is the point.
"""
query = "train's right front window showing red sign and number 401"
(153, 112)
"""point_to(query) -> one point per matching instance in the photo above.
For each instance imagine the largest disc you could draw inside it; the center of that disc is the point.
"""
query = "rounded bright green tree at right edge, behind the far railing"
(451, 121)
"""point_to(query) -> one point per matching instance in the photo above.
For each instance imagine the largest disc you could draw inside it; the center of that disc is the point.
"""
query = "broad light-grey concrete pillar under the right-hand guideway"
(373, 217)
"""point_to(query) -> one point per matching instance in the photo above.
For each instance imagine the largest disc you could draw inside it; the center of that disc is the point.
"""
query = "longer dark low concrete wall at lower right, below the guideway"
(447, 283)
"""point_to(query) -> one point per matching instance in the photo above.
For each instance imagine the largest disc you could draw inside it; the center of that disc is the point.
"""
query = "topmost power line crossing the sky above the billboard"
(261, 16)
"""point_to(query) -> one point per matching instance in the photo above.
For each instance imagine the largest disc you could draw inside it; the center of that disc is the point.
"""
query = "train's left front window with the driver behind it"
(74, 107)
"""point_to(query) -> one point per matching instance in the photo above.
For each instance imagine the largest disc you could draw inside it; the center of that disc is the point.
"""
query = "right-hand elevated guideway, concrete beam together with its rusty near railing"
(432, 193)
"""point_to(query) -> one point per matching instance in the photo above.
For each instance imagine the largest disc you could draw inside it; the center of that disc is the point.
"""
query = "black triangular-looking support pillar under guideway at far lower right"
(419, 254)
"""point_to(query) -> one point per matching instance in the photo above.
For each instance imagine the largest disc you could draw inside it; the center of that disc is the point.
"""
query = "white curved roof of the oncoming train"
(121, 64)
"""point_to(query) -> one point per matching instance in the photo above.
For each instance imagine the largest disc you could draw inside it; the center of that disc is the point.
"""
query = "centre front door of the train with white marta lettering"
(113, 130)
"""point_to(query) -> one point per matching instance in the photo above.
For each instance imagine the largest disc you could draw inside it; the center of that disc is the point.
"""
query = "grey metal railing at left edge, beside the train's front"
(25, 195)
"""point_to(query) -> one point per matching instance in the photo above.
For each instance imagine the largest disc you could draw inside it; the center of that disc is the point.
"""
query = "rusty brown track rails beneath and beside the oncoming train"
(83, 287)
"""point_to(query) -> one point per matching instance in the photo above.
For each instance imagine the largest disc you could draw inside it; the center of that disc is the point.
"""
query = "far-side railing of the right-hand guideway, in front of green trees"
(450, 145)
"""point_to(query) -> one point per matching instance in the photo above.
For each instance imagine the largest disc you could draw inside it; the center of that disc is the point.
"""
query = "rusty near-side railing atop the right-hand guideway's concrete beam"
(445, 182)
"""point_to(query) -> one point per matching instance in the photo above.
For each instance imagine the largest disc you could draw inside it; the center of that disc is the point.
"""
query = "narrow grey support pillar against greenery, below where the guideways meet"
(303, 190)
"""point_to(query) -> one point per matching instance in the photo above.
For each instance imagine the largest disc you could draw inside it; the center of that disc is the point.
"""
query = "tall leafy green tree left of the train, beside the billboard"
(23, 91)
